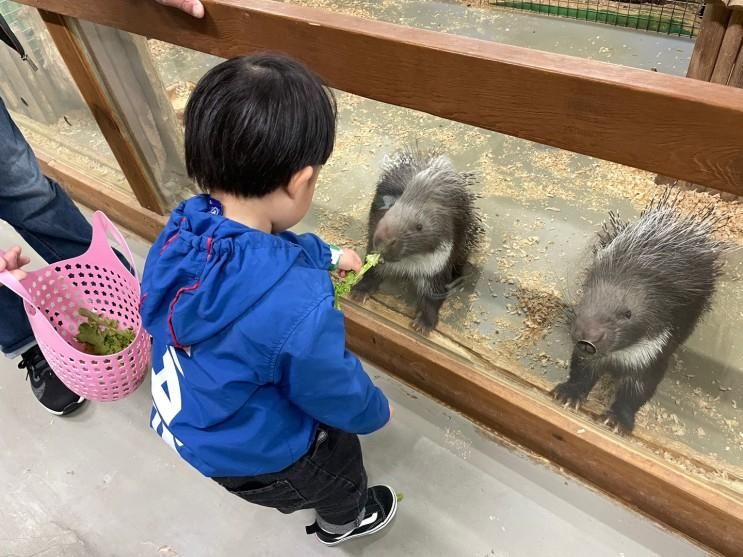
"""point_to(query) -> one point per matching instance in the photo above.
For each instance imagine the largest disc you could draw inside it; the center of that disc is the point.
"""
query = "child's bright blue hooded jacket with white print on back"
(248, 351)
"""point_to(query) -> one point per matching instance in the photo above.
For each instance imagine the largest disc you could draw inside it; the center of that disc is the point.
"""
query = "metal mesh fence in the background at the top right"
(682, 18)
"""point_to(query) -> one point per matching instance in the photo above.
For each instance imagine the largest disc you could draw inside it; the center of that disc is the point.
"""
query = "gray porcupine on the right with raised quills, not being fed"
(646, 289)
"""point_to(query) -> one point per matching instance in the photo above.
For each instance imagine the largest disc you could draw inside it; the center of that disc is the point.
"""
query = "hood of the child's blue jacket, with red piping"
(205, 271)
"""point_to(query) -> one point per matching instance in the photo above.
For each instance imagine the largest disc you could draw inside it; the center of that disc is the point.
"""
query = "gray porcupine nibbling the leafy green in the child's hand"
(424, 223)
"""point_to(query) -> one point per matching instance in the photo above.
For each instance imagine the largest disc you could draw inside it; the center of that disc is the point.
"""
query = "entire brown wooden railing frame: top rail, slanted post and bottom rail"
(691, 130)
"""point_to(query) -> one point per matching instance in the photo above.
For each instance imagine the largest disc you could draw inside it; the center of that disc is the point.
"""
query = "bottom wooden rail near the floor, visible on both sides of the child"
(634, 477)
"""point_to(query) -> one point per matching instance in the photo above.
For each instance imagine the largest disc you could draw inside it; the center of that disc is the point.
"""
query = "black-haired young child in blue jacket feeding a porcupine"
(252, 384)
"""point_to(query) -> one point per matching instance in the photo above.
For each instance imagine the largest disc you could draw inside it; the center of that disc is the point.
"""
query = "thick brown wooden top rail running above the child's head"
(680, 128)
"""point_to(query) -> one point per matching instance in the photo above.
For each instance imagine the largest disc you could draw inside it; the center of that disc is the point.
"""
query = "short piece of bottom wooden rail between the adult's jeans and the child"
(120, 207)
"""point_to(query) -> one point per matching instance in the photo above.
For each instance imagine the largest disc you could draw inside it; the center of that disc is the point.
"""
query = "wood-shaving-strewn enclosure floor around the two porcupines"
(542, 208)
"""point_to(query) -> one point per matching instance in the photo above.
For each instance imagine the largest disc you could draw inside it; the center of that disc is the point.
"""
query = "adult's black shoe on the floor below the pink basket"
(47, 387)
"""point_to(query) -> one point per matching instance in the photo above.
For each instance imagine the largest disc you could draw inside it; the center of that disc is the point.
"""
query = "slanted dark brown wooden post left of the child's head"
(113, 127)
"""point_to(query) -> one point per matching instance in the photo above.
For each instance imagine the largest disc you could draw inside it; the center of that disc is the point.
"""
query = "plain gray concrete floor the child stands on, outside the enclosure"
(102, 484)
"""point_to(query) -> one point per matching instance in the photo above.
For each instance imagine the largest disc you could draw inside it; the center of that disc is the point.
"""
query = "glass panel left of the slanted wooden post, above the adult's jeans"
(47, 105)
